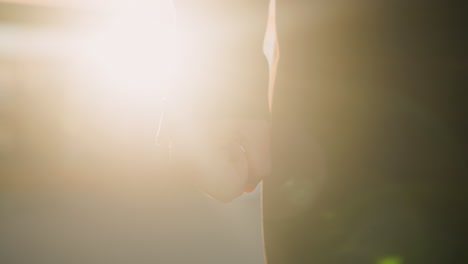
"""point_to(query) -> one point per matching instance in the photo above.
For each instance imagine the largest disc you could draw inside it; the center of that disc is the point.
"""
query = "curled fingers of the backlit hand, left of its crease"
(216, 162)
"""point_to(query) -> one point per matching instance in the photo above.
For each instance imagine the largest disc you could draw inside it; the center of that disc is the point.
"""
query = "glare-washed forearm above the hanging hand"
(221, 71)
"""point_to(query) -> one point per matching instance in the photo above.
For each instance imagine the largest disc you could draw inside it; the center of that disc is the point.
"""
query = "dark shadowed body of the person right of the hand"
(368, 134)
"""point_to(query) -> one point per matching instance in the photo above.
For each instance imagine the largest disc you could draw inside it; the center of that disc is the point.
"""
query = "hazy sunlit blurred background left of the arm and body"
(81, 178)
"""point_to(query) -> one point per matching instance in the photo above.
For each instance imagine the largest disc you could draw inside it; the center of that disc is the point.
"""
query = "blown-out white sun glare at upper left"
(129, 45)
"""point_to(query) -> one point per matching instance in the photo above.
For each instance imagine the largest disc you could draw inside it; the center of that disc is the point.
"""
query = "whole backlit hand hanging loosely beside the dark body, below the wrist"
(224, 158)
